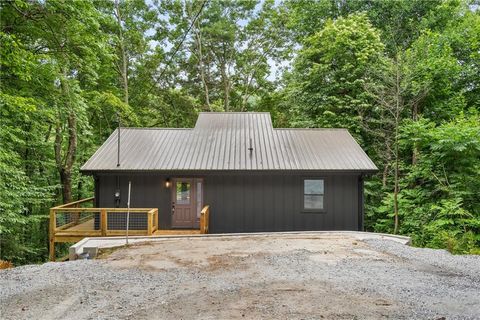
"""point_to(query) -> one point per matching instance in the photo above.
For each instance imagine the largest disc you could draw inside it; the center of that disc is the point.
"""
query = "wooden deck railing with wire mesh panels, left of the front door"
(76, 220)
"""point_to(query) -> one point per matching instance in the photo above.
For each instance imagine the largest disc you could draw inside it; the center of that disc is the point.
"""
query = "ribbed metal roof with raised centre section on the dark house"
(221, 141)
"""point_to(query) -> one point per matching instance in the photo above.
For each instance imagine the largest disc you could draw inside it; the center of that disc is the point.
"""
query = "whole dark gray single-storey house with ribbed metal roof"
(254, 177)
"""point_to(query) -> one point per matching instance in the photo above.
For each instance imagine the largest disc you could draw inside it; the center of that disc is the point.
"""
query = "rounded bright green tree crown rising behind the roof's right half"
(327, 84)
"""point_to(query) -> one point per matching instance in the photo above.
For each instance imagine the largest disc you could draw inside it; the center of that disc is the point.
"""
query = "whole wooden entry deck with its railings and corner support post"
(72, 222)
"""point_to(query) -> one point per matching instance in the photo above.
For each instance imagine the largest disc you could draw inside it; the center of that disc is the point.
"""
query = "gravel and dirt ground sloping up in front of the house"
(286, 276)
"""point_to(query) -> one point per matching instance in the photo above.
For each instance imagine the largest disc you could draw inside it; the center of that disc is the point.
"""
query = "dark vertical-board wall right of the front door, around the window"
(256, 203)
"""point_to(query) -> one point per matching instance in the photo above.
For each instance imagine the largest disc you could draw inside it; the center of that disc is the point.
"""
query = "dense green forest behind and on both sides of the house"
(402, 76)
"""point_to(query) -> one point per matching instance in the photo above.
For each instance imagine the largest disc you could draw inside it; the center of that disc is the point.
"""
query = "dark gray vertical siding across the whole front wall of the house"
(248, 202)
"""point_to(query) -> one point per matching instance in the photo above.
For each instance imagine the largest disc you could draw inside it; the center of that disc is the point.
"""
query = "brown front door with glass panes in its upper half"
(183, 203)
